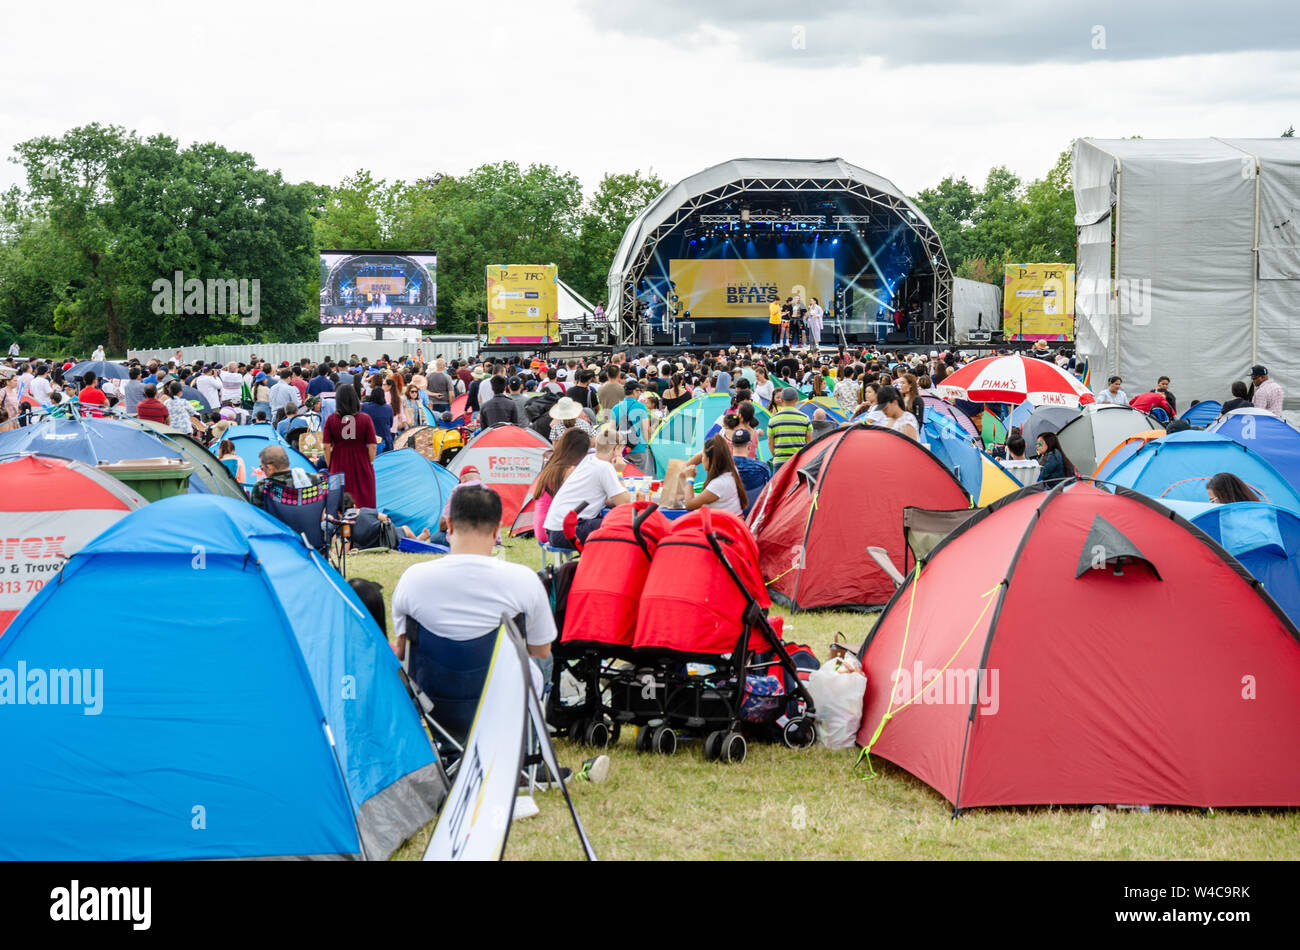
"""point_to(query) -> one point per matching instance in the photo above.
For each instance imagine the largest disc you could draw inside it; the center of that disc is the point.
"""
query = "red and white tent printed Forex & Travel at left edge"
(49, 511)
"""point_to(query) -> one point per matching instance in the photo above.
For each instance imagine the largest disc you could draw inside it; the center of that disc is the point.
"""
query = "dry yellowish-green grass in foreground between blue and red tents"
(814, 805)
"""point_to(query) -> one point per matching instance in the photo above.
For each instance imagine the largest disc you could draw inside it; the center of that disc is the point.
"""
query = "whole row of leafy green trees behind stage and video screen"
(103, 215)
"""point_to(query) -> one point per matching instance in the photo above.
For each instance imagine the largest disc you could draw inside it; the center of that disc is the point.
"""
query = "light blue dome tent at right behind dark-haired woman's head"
(1178, 466)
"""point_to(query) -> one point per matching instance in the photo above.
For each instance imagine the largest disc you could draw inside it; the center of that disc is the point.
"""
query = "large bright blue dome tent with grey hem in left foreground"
(268, 722)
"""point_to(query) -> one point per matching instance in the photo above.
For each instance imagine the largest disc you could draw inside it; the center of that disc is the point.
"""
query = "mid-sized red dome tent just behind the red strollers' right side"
(842, 494)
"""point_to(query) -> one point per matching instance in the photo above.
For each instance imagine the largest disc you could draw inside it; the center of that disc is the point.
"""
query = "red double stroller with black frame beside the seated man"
(703, 660)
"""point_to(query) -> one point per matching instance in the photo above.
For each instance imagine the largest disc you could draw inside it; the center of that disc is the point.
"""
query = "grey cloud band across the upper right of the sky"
(998, 32)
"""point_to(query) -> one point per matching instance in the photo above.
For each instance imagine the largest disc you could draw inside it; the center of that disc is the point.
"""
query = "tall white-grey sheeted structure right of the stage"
(1189, 262)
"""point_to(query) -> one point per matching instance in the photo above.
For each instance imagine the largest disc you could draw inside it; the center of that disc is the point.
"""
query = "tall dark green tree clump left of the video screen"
(106, 216)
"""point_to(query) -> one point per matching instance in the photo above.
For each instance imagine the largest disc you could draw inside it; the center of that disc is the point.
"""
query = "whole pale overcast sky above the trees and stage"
(912, 92)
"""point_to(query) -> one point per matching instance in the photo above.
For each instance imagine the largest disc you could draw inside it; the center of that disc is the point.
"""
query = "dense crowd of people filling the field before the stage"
(599, 414)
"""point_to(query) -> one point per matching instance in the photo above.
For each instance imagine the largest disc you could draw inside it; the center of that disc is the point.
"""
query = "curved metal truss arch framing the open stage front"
(942, 298)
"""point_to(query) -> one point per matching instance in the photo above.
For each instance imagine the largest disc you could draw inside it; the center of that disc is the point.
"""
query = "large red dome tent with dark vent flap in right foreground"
(1084, 648)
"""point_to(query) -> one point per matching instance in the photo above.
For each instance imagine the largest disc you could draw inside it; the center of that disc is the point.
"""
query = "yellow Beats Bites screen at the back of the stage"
(740, 288)
